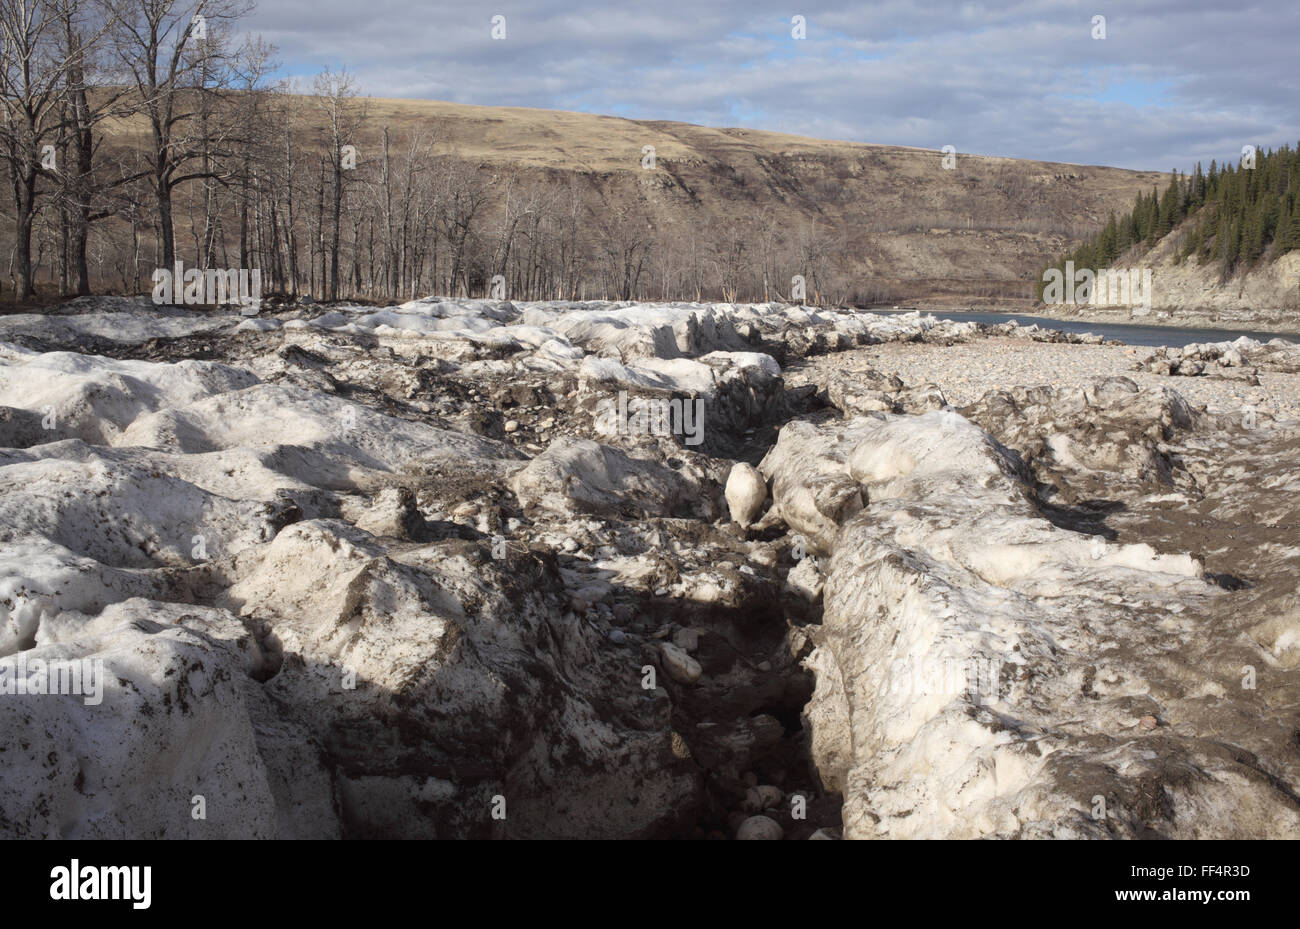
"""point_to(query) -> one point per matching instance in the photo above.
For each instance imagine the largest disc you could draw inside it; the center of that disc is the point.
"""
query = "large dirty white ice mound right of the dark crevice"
(983, 672)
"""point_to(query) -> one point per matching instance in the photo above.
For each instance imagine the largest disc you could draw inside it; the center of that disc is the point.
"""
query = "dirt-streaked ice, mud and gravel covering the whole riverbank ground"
(479, 570)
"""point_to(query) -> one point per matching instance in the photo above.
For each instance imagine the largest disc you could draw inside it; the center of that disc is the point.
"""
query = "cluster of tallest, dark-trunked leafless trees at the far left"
(110, 108)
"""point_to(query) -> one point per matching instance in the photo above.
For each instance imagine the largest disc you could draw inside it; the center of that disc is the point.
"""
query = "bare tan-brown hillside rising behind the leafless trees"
(983, 229)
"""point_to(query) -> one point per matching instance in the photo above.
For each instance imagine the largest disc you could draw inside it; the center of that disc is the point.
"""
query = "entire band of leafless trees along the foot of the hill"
(137, 133)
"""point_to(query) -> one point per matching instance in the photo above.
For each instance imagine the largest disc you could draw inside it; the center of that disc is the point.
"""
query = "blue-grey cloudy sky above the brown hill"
(1171, 84)
